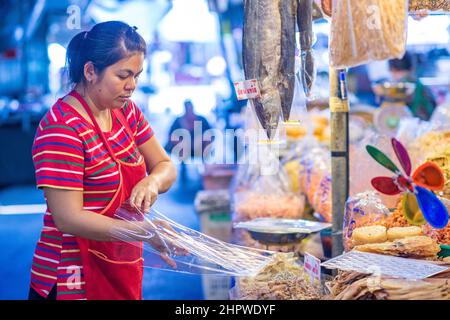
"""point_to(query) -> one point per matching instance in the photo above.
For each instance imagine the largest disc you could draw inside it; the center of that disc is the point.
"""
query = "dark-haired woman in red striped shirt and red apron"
(92, 151)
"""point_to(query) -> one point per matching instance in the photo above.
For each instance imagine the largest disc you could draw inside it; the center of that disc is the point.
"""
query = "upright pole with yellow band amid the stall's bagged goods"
(339, 108)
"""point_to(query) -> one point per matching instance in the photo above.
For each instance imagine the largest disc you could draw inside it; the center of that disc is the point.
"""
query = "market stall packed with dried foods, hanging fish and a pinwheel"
(385, 220)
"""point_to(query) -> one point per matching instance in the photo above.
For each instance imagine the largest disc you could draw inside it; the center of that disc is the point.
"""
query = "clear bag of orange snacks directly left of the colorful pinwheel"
(362, 210)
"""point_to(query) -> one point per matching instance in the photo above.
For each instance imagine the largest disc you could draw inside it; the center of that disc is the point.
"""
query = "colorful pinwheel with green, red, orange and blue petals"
(418, 201)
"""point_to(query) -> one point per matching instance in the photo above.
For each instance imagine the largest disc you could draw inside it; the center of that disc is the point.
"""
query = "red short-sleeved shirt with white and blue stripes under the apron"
(69, 154)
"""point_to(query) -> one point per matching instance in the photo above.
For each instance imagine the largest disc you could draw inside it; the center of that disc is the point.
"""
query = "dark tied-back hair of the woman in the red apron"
(105, 44)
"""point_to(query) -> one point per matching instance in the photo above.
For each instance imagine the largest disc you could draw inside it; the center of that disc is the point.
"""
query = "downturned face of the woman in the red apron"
(117, 82)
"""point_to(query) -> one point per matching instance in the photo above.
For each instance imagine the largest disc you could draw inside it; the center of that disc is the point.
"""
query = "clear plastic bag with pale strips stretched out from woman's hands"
(170, 246)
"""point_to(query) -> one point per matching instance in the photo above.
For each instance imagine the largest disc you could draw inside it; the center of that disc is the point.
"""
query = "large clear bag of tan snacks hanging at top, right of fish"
(367, 30)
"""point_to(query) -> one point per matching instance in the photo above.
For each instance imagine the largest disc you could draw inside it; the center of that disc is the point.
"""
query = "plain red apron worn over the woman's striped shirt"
(113, 270)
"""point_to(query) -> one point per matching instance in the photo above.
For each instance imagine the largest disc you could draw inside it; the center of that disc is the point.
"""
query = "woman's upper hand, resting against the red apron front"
(145, 193)
